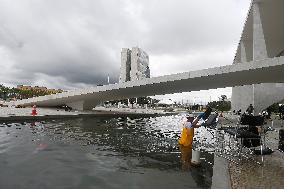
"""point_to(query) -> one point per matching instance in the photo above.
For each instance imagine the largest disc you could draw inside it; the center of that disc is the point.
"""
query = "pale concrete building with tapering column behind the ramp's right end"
(262, 39)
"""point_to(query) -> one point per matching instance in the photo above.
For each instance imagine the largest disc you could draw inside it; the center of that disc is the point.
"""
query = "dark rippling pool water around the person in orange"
(98, 148)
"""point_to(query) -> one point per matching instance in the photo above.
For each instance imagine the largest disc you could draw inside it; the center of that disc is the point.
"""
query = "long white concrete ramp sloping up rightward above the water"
(225, 76)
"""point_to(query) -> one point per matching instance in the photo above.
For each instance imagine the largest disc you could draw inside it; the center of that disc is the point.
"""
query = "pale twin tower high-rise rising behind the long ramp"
(134, 65)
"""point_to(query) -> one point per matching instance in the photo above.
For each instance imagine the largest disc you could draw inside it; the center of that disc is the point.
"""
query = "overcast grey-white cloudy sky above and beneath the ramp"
(76, 43)
